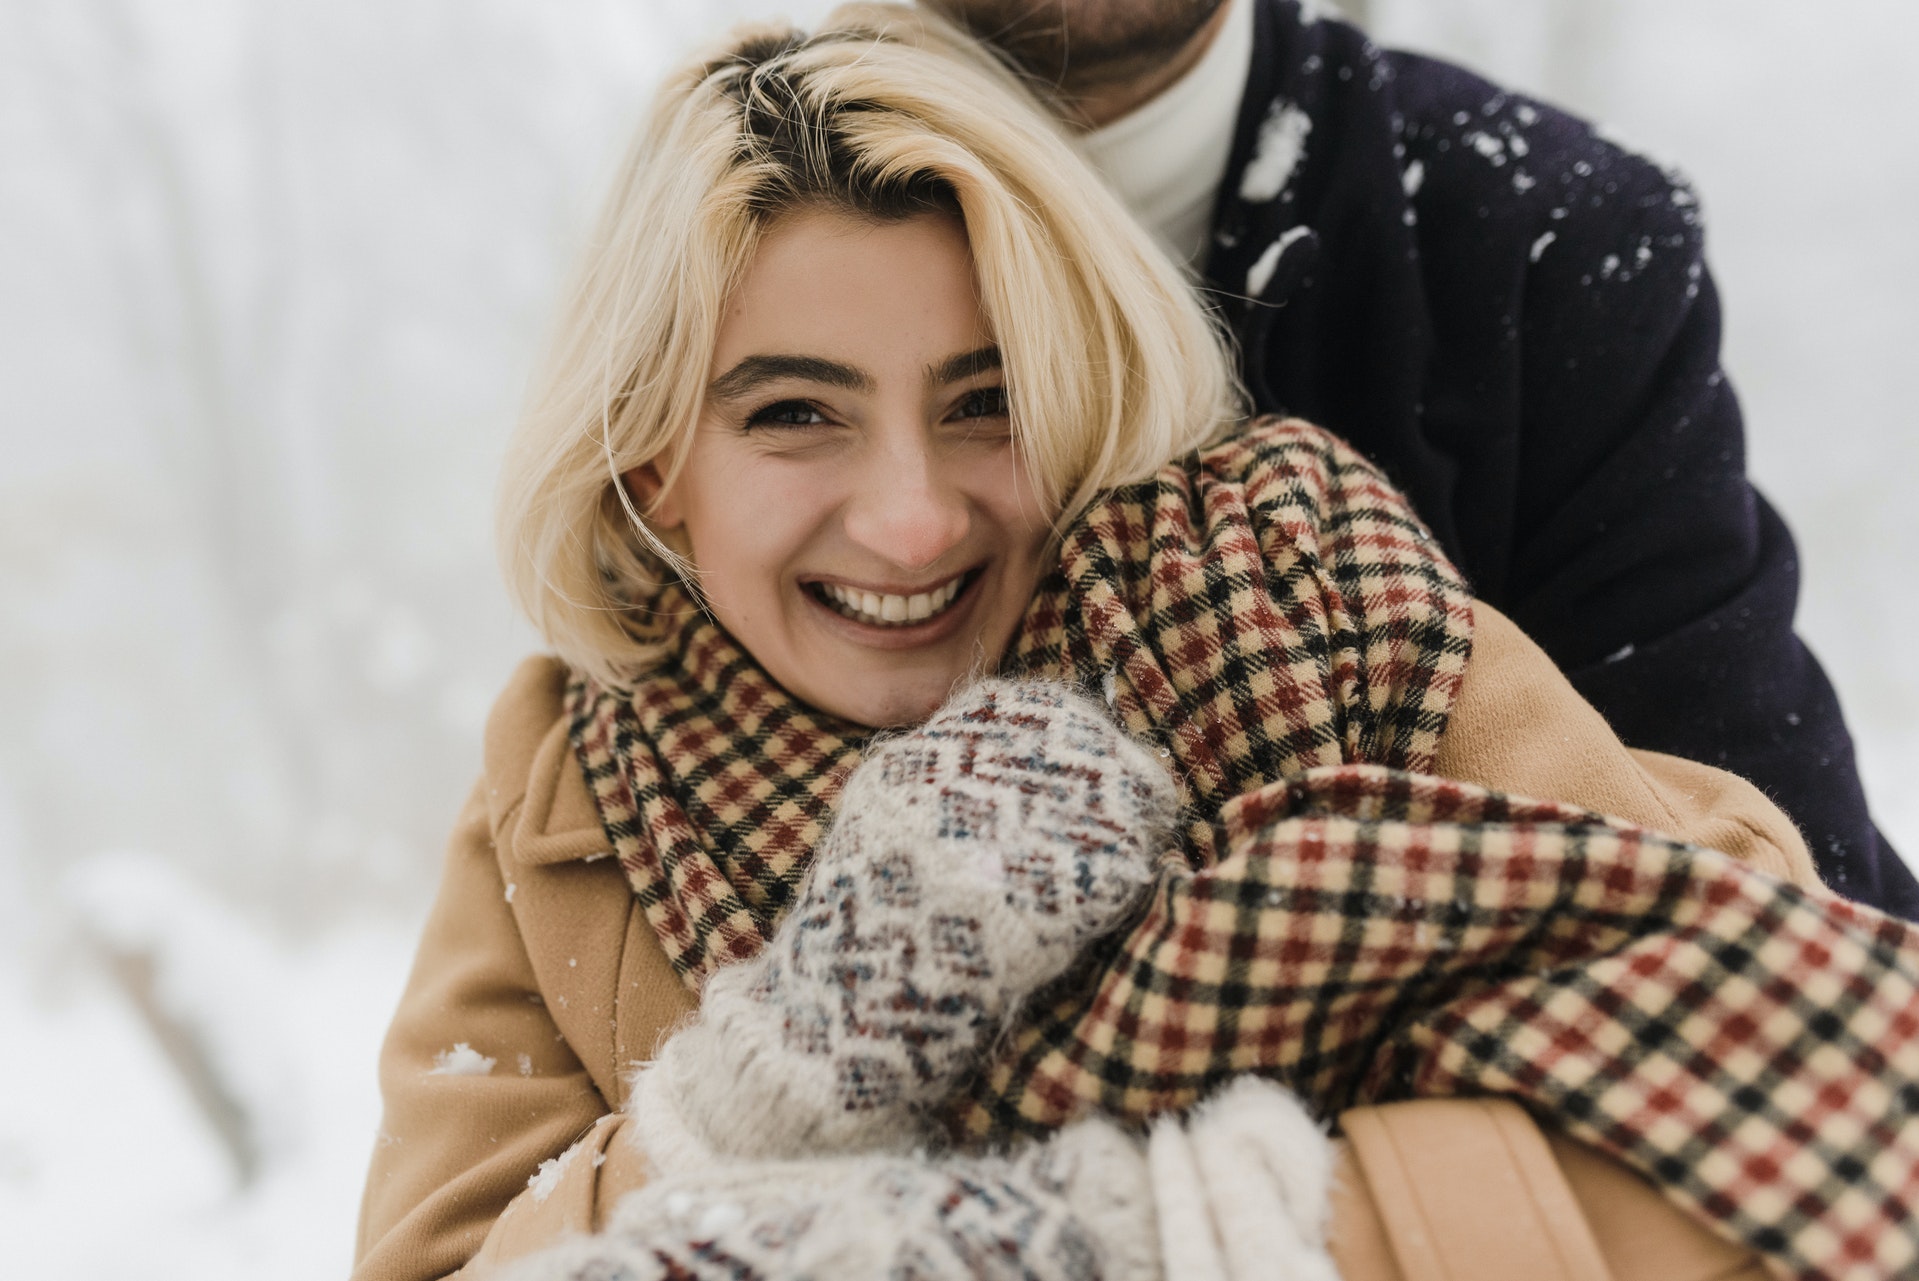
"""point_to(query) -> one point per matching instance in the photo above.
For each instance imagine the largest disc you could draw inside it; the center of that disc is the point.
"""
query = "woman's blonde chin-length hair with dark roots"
(888, 112)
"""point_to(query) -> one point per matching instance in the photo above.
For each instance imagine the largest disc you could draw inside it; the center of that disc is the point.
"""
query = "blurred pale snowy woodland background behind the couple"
(272, 277)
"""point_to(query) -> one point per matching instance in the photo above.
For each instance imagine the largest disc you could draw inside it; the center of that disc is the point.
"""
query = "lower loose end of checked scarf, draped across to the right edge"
(1375, 935)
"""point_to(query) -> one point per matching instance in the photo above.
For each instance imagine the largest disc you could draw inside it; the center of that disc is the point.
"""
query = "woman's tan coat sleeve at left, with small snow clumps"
(494, 1138)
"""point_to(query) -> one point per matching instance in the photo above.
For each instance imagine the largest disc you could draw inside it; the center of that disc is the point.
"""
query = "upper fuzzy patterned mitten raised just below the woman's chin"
(972, 862)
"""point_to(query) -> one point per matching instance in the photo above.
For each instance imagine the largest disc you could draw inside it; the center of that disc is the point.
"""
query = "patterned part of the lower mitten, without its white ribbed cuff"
(1074, 1209)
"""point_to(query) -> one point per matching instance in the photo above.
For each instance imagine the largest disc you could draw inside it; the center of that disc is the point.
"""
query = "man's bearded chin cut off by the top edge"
(1081, 45)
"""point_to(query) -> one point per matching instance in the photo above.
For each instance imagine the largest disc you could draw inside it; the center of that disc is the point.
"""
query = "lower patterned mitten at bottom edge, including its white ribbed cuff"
(1235, 1194)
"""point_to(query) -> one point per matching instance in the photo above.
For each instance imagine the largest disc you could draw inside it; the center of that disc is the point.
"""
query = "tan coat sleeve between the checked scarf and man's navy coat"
(1521, 728)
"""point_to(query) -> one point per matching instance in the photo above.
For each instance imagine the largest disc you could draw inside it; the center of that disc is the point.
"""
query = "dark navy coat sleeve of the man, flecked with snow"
(1644, 559)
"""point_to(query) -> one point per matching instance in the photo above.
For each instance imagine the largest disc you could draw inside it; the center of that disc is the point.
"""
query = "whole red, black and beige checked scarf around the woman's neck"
(1283, 628)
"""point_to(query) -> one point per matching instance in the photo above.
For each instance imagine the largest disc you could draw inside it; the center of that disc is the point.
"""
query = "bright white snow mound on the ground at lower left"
(293, 1027)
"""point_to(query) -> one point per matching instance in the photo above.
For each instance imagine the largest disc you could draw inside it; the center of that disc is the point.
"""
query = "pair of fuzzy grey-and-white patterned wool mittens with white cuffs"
(974, 860)
